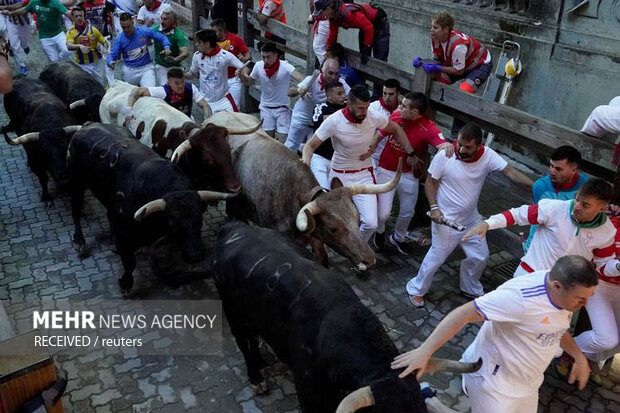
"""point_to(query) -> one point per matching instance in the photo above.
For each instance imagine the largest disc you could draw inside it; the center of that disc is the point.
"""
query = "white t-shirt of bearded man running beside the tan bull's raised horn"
(351, 139)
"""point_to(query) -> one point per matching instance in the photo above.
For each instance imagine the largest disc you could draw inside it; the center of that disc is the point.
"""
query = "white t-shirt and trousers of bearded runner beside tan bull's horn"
(351, 139)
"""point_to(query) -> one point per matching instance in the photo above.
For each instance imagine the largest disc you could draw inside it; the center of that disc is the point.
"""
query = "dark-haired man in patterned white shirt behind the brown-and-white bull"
(211, 64)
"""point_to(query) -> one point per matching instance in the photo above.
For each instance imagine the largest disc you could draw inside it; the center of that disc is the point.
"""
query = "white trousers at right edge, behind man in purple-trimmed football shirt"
(602, 341)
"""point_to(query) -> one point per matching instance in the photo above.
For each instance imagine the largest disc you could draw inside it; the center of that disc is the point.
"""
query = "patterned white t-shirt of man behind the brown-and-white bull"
(213, 71)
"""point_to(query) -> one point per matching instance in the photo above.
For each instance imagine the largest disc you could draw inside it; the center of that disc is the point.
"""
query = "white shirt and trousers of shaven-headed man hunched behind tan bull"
(301, 118)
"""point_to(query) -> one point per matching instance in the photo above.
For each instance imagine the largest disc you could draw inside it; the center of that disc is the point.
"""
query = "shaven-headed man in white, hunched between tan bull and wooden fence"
(311, 93)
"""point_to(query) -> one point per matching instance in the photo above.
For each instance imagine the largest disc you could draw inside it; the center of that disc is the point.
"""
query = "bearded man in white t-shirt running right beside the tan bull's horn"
(352, 131)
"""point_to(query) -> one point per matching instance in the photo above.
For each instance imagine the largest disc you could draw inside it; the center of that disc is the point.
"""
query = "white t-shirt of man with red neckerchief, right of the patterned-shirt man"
(274, 90)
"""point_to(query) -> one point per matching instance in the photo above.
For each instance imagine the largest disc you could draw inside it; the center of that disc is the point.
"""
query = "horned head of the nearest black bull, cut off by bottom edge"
(391, 394)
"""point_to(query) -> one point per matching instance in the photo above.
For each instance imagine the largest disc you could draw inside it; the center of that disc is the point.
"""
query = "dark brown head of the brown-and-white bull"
(206, 157)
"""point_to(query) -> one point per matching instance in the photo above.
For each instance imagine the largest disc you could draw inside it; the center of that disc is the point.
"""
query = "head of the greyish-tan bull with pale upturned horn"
(334, 219)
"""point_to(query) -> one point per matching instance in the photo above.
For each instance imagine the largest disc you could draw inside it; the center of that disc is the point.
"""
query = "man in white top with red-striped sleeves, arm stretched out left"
(572, 227)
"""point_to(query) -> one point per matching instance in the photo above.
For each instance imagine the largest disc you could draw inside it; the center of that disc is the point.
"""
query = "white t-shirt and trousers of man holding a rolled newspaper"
(460, 184)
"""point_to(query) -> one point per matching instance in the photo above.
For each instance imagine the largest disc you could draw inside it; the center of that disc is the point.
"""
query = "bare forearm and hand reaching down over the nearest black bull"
(448, 327)
